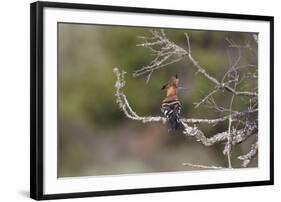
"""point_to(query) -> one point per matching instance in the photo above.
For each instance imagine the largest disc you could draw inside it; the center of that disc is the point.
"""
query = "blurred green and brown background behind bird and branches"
(95, 137)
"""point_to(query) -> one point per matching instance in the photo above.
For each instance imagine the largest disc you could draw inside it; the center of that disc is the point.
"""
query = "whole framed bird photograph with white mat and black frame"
(134, 100)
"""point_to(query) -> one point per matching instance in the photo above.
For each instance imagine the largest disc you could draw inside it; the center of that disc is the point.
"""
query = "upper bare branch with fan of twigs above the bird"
(167, 52)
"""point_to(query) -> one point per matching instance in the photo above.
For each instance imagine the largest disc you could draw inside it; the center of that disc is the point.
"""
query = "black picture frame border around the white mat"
(36, 98)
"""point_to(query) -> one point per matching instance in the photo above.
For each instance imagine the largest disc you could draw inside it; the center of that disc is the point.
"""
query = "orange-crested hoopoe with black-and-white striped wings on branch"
(171, 106)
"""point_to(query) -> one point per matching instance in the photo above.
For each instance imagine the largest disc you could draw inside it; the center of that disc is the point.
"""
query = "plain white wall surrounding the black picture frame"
(14, 100)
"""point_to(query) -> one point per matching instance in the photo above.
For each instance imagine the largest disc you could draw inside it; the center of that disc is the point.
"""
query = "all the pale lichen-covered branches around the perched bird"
(242, 124)
